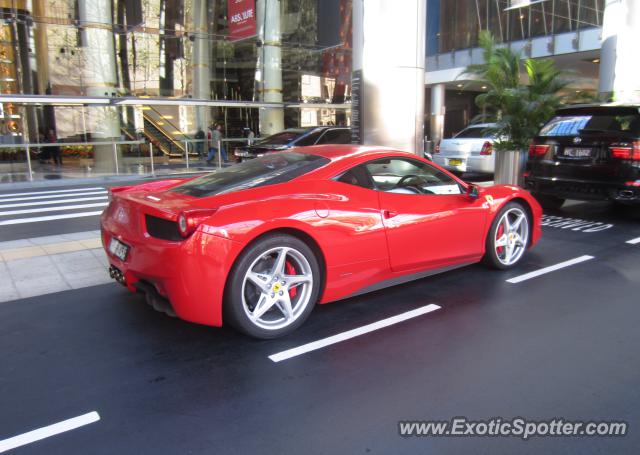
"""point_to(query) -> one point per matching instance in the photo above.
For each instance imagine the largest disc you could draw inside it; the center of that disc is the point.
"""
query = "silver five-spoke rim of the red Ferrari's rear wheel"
(272, 298)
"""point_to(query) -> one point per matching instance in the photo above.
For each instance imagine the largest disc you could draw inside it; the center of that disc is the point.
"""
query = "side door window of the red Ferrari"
(407, 176)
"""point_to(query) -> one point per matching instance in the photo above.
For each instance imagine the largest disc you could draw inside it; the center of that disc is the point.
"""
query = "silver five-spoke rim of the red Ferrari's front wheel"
(511, 236)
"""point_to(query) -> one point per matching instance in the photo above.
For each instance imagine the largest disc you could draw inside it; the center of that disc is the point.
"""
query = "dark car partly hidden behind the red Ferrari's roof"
(296, 137)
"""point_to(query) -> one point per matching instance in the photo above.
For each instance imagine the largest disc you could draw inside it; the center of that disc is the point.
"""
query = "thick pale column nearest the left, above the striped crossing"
(99, 73)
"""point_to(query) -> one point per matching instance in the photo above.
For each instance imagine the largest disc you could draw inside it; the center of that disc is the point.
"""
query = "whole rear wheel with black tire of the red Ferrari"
(273, 287)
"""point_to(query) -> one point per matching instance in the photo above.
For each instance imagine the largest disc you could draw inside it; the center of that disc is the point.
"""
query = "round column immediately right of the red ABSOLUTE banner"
(269, 73)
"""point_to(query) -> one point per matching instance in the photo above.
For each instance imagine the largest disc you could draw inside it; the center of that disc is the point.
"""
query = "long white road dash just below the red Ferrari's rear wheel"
(289, 353)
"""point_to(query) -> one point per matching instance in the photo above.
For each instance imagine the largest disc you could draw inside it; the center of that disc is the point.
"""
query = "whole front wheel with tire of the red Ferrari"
(508, 237)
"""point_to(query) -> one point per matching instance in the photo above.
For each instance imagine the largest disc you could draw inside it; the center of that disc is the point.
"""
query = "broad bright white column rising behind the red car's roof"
(389, 47)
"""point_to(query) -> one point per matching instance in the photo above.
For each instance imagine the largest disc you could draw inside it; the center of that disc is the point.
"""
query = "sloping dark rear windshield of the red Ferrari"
(265, 170)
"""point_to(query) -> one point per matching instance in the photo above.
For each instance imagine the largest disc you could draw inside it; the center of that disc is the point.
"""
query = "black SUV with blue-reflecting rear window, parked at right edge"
(587, 152)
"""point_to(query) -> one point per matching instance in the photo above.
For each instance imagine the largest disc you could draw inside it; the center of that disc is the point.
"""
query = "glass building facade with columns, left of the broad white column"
(157, 71)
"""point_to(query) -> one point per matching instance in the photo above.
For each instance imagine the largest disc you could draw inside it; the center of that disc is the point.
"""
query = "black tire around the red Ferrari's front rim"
(492, 257)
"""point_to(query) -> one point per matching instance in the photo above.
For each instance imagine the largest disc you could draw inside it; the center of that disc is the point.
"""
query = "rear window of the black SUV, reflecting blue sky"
(573, 125)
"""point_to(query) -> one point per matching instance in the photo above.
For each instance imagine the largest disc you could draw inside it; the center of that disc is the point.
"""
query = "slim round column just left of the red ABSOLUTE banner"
(201, 70)
